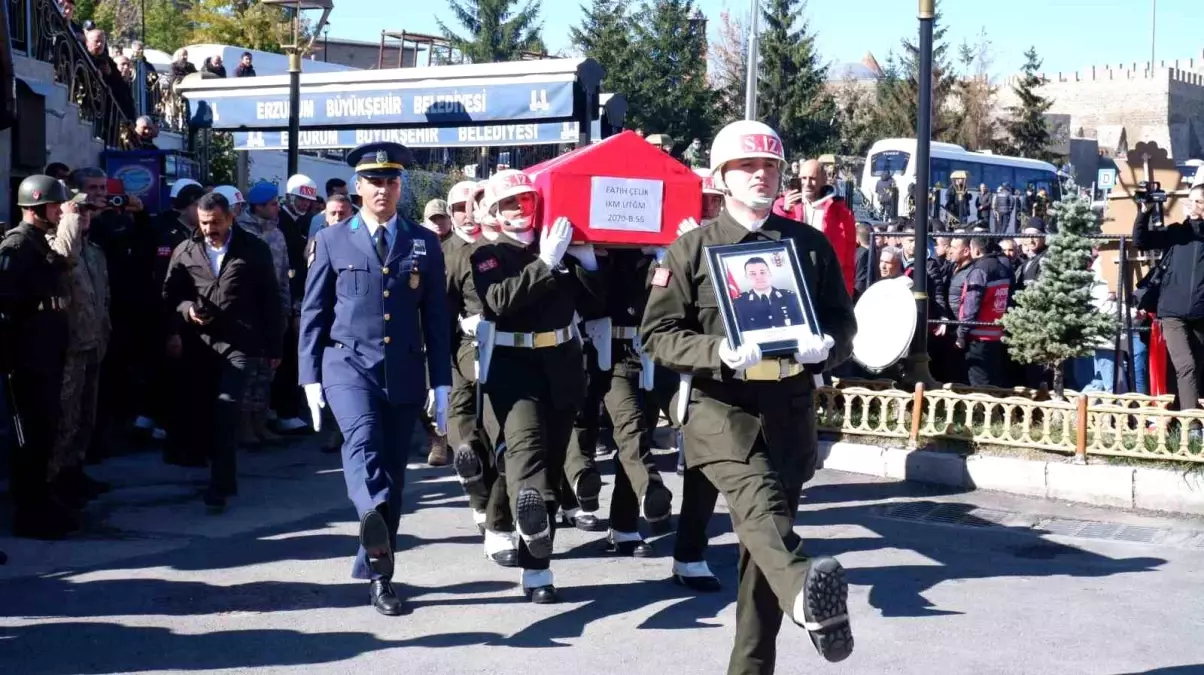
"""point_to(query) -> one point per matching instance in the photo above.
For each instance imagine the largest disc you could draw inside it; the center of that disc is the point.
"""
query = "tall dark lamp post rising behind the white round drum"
(917, 364)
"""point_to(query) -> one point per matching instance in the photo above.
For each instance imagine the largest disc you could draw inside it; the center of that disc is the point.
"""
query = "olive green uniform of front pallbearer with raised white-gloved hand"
(534, 392)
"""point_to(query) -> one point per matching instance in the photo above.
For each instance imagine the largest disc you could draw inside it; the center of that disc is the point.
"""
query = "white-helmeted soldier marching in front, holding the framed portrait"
(751, 425)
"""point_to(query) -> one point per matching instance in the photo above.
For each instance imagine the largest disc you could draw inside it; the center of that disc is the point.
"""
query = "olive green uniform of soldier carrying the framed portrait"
(754, 440)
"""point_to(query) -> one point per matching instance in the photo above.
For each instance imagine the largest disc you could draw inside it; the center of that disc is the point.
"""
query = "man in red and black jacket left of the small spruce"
(984, 300)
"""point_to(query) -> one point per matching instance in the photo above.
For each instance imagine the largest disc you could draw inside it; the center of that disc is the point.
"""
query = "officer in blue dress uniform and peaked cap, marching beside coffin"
(374, 329)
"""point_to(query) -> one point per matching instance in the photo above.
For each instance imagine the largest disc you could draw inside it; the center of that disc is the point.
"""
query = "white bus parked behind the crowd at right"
(898, 158)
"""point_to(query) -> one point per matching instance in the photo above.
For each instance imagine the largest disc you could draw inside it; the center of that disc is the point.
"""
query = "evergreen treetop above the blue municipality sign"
(495, 29)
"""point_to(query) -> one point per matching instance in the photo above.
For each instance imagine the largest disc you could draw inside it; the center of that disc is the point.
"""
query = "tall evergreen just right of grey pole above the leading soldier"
(792, 85)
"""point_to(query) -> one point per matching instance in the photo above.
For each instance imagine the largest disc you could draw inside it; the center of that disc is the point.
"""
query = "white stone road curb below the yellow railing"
(1100, 485)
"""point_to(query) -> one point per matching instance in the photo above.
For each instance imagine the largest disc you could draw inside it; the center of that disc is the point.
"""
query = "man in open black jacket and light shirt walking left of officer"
(222, 286)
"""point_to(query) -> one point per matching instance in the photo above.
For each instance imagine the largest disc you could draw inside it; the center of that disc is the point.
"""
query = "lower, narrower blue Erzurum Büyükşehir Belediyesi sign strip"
(503, 135)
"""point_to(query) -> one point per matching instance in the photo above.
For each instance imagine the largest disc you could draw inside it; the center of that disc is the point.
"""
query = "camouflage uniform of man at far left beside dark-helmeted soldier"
(88, 331)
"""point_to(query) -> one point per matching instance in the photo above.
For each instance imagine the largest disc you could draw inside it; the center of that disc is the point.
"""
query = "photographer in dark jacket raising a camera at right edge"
(1181, 305)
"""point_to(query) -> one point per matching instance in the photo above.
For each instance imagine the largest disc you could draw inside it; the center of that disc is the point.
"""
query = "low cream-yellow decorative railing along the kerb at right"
(1094, 424)
